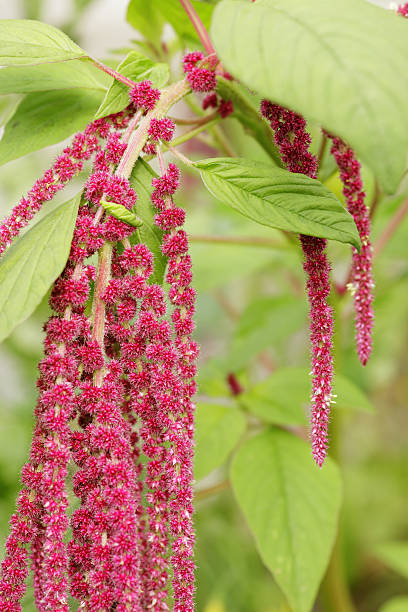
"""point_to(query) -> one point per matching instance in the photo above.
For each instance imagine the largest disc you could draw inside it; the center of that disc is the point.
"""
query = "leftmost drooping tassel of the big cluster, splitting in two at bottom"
(41, 517)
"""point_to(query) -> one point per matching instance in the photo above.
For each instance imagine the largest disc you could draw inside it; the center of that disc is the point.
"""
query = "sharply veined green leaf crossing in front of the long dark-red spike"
(277, 198)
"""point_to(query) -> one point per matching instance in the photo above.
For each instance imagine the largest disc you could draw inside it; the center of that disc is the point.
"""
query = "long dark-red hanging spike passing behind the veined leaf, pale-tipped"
(293, 142)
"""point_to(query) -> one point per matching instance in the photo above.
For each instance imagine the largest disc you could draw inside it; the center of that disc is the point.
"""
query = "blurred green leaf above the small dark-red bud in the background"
(265, 323)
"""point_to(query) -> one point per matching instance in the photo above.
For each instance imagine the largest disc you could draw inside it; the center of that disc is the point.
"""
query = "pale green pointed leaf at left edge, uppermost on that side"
(25, 41)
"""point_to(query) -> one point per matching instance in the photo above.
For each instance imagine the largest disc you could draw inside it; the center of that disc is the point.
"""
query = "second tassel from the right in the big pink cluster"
(137, 327)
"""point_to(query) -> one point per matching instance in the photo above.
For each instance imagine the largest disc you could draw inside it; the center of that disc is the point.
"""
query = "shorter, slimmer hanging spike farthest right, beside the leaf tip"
(361, 270)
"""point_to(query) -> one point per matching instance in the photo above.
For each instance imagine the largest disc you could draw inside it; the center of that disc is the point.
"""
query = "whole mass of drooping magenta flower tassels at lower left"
(118, 407)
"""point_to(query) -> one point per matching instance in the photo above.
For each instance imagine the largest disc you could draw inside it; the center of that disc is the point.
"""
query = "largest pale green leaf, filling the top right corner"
(326, 61)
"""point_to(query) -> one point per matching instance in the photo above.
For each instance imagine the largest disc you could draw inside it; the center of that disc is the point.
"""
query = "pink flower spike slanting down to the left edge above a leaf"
(67, 165)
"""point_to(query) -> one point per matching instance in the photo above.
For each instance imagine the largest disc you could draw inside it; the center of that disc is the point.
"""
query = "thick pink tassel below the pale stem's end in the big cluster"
(104, 563)
